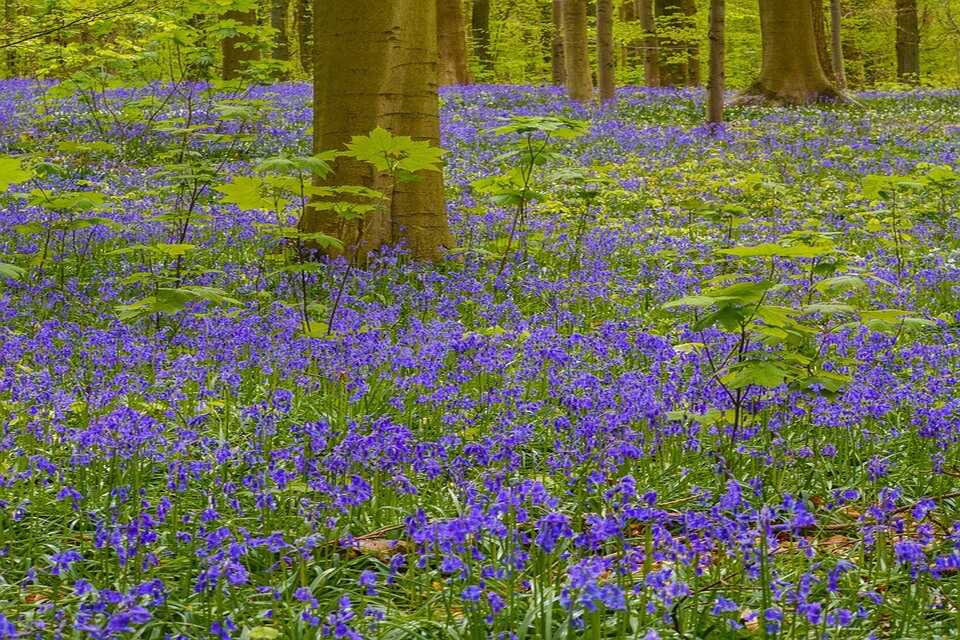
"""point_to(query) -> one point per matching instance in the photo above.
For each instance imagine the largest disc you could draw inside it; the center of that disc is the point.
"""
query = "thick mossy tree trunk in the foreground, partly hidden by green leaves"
(376, 65)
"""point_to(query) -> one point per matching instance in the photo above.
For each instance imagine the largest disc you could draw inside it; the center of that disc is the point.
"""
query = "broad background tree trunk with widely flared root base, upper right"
(791, 72)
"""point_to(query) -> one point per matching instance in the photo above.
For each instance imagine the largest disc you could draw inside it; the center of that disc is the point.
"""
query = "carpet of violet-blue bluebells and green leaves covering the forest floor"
(511, 444)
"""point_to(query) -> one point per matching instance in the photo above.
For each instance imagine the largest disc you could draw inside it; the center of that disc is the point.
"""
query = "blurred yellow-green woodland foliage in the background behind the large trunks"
(507, 41)
